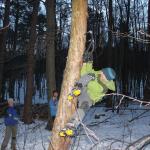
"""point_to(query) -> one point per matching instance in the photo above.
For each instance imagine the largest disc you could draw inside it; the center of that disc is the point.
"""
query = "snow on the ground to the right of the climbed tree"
(115, 131)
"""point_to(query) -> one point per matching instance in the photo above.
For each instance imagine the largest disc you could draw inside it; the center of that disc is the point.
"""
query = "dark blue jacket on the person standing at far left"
(11, 117)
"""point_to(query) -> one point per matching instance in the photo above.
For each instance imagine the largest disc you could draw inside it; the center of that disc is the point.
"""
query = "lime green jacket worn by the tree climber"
(95, 89)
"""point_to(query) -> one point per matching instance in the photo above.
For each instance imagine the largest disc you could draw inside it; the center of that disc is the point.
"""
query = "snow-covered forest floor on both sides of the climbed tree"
(115, 131)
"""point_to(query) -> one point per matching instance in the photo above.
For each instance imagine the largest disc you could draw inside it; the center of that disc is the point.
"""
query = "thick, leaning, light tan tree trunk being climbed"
(71, 73)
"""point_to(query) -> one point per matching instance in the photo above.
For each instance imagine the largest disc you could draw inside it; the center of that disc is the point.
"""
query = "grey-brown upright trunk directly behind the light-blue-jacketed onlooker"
(50, 53)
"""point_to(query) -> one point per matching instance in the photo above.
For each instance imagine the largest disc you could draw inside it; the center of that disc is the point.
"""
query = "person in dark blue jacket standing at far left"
(11, 122)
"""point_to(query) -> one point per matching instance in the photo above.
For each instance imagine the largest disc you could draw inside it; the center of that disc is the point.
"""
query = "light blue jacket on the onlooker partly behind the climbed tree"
(53, 107)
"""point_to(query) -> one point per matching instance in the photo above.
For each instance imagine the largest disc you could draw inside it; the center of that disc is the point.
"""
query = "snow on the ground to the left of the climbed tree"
(29, 137)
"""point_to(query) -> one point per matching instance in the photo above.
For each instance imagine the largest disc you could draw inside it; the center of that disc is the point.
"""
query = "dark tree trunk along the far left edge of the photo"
(3, 42)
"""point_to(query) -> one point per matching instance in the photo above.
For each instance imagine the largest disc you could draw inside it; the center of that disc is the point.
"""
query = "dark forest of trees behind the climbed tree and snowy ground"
(34, 43)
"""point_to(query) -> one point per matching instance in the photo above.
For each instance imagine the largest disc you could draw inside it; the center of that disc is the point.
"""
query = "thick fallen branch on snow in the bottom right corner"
(140, 143)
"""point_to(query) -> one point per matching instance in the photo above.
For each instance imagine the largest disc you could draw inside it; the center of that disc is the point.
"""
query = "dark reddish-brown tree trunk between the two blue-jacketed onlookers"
(30, 65)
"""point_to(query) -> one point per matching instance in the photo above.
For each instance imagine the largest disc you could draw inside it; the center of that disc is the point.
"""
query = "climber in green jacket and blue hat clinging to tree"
(91, 88)
